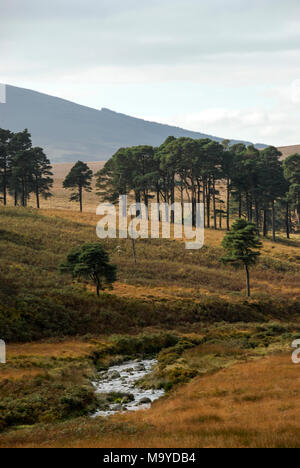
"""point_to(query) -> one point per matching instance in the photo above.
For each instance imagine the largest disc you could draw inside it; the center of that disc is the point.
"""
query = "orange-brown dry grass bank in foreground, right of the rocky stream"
(255, 404)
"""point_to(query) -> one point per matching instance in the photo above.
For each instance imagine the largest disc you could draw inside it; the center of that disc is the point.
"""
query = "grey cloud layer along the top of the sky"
(71, 34)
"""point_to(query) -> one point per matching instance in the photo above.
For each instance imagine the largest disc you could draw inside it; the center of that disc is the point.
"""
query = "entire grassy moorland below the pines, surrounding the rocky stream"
(221, 358)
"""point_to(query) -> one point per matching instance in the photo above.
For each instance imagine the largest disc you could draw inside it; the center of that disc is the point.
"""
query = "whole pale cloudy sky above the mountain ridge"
(229, 68)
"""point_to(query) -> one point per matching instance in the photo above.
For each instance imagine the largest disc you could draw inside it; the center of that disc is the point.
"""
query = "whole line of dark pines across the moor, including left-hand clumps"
(231, 180)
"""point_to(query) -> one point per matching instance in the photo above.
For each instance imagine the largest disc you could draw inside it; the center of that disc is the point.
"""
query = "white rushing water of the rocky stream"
(130, 372)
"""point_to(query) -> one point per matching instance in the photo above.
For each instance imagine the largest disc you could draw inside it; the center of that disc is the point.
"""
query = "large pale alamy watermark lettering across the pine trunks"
(158, 220)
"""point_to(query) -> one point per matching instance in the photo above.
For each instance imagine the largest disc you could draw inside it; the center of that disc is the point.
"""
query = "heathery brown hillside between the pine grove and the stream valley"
(168, 285)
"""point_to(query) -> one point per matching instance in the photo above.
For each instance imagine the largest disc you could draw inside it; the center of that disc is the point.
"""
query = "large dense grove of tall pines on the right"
(229, 179)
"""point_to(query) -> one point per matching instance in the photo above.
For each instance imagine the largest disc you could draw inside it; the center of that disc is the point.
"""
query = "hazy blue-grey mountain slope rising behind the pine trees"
(69, 131)
